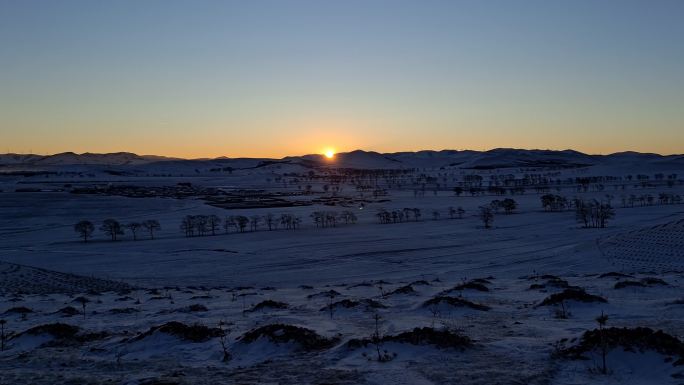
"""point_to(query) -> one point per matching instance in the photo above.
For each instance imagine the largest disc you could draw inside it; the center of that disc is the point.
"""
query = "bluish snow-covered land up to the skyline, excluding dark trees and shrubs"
(216, 281)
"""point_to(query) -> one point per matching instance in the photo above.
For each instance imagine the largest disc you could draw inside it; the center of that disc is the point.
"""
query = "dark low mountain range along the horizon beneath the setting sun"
(466, 159)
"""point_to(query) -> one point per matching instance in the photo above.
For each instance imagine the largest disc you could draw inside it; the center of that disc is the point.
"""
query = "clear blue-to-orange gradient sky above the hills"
(274, 78)
